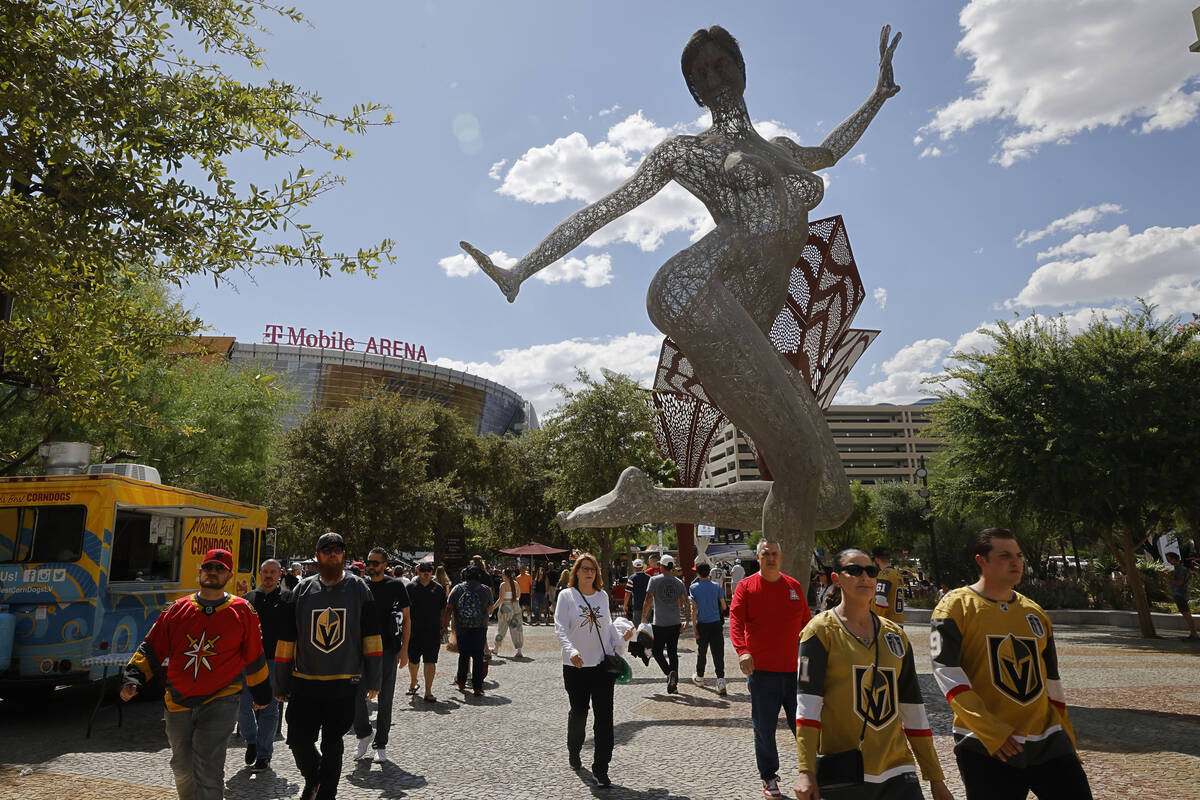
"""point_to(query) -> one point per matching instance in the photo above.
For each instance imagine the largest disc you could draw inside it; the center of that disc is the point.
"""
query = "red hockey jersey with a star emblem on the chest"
(207, 647)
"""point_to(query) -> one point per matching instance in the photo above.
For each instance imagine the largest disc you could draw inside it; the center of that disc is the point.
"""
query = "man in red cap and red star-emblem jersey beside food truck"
(208, 639)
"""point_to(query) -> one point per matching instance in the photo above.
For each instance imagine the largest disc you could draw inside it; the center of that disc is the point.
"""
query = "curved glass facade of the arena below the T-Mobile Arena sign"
(327, 378)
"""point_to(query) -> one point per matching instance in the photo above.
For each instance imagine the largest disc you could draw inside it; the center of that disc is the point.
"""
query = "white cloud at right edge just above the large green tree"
(1161, 264)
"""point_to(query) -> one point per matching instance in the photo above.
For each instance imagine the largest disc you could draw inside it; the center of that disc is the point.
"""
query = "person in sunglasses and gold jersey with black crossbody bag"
(859, 690)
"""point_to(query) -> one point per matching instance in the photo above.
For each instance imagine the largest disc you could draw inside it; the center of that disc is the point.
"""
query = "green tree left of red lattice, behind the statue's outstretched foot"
(592, 436)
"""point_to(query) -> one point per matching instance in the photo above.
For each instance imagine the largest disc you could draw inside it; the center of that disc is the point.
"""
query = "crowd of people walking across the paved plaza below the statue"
(844, 679)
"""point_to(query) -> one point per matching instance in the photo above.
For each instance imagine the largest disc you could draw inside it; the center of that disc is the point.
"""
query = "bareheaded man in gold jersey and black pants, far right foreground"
(994, 659)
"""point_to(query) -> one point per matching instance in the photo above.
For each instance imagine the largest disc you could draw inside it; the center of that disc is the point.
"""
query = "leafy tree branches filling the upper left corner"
(115, 151)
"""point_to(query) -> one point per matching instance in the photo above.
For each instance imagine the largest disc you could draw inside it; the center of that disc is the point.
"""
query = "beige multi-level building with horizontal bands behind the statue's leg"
(879, 444)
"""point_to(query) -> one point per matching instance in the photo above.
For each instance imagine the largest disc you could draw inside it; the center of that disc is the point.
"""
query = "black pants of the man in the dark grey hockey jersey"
(325, 708)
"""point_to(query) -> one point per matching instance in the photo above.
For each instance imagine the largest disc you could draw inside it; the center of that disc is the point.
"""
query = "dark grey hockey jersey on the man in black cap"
(333, 635)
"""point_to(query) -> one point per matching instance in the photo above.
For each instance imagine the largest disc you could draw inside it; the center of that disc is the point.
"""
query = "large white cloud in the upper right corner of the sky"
(1054, 70)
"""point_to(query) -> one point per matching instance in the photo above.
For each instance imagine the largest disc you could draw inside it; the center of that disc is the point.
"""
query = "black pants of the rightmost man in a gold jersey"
(987, 778)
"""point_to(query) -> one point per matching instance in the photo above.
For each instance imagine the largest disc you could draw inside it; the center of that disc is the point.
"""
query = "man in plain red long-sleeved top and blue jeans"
(766, 618)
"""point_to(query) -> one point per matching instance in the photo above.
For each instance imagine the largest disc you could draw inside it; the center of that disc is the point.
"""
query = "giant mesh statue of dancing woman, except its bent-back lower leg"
(719, 298)
